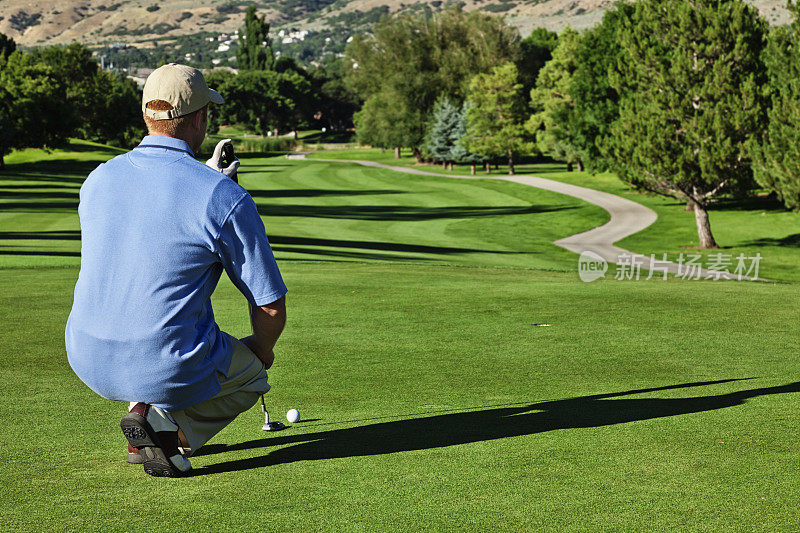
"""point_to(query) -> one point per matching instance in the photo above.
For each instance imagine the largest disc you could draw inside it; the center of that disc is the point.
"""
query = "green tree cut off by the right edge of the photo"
(777, 155)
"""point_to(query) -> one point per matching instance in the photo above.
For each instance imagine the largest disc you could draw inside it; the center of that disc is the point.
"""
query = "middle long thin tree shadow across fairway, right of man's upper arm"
(399, 212)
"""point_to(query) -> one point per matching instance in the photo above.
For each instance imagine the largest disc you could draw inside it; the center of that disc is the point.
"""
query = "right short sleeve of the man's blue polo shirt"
(247, 256)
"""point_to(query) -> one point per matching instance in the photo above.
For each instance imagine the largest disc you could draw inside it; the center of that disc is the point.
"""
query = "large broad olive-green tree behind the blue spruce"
(410, 61)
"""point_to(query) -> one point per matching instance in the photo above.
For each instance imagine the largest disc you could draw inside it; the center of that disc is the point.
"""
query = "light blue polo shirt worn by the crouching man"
(157, 229)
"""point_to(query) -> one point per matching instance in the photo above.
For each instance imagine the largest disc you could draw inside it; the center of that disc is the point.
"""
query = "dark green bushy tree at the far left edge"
(32, 104)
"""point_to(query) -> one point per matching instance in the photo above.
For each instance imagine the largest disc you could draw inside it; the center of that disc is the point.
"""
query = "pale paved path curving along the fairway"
(627, 218)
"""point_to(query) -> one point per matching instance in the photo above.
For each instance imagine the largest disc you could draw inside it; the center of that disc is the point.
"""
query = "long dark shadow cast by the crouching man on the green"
(477, 426)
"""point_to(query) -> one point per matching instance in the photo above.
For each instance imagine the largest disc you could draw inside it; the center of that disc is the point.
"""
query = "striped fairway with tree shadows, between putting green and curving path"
(327, 211)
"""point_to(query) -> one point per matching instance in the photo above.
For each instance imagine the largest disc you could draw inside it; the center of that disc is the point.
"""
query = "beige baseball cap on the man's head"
(182, 86)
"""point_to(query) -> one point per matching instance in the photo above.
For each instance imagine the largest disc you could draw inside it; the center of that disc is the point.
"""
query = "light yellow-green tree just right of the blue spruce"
(494, 115)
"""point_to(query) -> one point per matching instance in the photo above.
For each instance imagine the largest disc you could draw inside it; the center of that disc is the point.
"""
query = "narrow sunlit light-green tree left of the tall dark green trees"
(552, 104)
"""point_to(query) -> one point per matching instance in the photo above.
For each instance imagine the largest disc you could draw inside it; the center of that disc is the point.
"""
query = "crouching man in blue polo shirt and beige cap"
(157, 230)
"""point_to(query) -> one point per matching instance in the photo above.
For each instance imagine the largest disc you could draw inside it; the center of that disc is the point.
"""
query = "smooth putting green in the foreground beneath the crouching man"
(434, 402)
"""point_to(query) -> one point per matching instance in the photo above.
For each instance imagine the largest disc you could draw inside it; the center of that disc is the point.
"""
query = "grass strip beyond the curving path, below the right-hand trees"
(749, 227)
